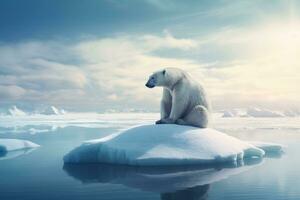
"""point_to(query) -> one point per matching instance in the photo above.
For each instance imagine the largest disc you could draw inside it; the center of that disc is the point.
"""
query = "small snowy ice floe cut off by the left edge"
(15, 144)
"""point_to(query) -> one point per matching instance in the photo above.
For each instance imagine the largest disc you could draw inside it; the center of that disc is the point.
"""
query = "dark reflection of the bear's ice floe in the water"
(175, 182)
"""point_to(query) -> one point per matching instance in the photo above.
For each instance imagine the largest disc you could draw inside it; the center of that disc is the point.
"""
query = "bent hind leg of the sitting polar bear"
(197, 117)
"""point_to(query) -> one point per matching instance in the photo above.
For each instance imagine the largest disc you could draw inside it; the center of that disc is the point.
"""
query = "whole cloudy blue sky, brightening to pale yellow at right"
(96, 55)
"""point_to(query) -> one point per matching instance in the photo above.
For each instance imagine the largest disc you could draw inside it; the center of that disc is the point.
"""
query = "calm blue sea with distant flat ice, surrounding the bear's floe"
(41, 174)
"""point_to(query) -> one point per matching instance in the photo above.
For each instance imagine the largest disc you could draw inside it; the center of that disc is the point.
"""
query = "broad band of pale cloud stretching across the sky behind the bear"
(251, 66)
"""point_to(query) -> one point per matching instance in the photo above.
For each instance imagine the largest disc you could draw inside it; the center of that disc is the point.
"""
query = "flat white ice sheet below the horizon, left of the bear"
(21, 124)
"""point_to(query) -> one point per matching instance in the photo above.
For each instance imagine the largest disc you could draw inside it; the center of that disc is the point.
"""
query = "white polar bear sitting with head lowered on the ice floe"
(184, 100)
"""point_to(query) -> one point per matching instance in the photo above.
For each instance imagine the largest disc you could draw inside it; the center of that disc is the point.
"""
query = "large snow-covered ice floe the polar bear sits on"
(167, 144)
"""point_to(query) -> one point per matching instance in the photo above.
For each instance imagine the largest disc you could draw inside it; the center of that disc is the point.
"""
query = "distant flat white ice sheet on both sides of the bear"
(41, 123)
